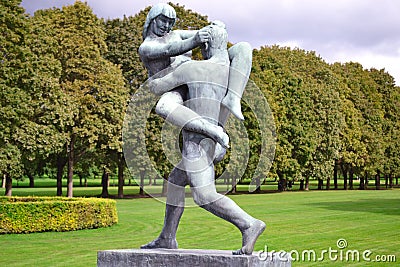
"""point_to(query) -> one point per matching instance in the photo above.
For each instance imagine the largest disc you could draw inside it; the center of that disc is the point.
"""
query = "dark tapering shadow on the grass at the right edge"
(386, 206)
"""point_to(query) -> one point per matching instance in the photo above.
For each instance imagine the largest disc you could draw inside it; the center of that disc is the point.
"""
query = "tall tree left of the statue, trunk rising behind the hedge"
(92, 89)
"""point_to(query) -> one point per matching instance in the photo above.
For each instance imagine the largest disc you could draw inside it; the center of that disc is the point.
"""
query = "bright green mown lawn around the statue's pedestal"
(315, 220)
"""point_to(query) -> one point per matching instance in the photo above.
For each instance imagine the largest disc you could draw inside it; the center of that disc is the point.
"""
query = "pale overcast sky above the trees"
(365, 31)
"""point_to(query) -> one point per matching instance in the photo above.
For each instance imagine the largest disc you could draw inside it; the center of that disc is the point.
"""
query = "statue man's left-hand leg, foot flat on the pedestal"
(173, 211)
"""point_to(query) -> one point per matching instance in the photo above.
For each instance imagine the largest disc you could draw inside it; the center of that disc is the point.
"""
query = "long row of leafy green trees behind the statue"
(67, 77)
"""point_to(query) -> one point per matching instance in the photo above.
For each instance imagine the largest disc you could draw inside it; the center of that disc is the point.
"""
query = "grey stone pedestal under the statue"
(188, 257)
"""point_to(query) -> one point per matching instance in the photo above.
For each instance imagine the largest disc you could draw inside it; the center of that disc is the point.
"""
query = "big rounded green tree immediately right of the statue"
(302, 92)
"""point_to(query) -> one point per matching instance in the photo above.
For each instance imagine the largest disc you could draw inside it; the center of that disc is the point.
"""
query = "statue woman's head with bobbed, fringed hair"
(159, 20)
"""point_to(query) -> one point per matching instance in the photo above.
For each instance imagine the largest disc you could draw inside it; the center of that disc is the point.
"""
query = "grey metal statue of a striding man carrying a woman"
(198, 97)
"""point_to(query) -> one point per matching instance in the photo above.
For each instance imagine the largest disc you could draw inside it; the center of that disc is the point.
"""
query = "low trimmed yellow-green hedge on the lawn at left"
(40, 214)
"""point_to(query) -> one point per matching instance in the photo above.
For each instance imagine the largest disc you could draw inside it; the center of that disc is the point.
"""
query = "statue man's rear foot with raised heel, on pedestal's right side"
(249, 238)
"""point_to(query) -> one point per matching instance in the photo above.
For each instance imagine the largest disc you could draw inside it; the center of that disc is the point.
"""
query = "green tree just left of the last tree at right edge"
(363, 147)
